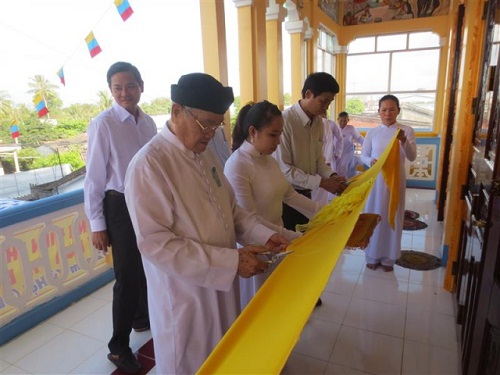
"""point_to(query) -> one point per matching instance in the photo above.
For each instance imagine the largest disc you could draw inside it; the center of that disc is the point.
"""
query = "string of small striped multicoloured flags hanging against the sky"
(125, 11)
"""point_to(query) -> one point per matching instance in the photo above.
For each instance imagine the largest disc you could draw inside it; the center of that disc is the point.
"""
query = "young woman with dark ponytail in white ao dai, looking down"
(256, 177)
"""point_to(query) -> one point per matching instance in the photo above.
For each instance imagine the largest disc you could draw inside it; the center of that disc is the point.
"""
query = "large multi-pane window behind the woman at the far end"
(407, 70)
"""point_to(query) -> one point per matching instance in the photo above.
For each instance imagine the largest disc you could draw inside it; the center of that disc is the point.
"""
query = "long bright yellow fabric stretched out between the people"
(261, 339)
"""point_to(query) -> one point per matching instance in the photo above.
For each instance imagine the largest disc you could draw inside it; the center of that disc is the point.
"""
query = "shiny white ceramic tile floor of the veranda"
(370, 322)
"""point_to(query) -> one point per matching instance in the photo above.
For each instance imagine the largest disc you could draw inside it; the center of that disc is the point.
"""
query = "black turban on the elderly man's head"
(202, 91)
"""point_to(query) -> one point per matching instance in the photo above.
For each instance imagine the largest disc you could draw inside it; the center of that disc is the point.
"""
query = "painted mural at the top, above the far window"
(358, 12)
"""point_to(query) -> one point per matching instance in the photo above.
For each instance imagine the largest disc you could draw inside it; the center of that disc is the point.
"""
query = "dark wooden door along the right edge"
(479, 285)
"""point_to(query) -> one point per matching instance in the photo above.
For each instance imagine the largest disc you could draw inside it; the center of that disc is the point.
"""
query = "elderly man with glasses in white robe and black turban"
(187, 225)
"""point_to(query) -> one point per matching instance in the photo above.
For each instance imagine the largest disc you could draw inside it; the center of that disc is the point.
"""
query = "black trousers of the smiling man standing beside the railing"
(130, 304)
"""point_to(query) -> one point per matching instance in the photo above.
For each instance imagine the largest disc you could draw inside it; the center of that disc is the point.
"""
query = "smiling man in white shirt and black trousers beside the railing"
(113, 139)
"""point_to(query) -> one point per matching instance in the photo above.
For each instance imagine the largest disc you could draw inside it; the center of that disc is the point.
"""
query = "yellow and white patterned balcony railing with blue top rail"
(46, 251)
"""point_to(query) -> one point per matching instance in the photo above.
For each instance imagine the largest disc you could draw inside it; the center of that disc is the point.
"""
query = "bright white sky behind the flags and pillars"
(162, 38)
